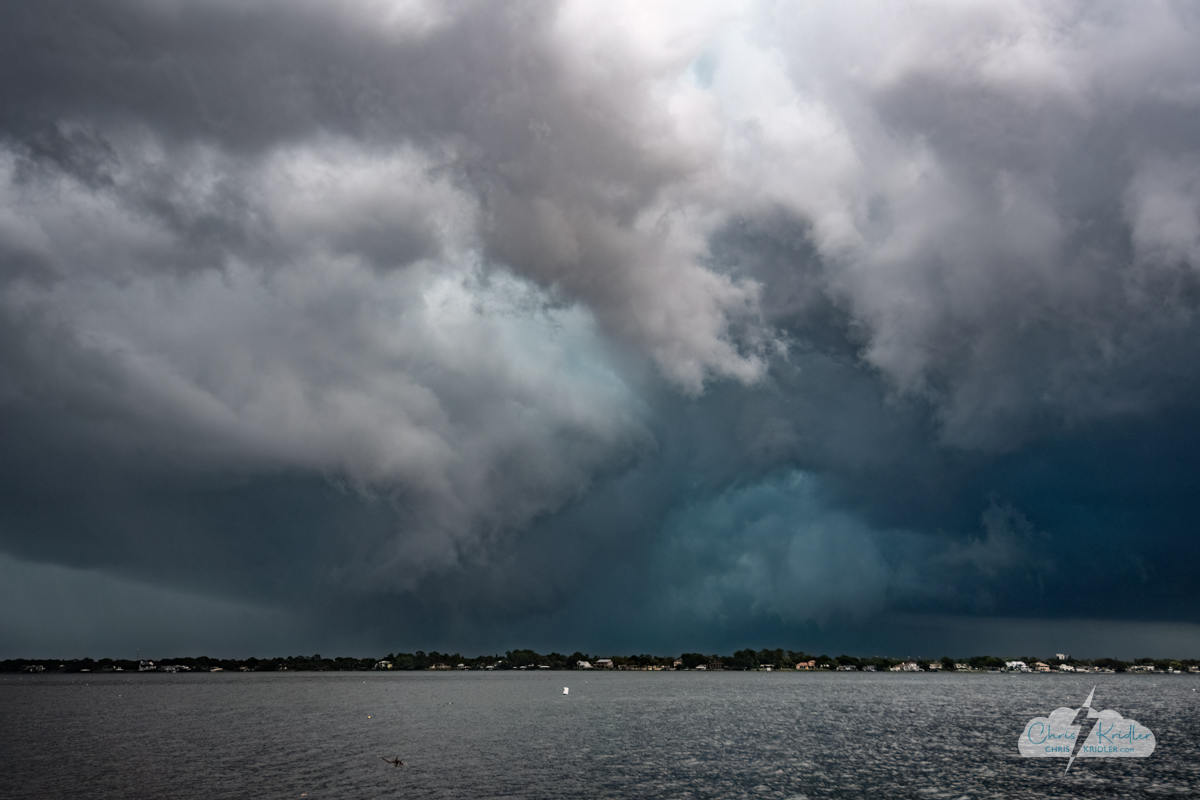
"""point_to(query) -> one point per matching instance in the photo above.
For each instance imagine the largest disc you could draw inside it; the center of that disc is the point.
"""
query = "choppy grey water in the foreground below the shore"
(616, 736)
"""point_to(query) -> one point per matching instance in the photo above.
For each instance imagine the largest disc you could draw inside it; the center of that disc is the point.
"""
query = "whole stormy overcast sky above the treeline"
(389, 326)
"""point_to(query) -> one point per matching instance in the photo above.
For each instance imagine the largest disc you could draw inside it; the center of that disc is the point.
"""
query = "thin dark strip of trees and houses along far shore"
(526, 660)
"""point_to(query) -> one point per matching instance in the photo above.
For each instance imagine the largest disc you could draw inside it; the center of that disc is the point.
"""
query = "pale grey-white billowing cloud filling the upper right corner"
(962, 167)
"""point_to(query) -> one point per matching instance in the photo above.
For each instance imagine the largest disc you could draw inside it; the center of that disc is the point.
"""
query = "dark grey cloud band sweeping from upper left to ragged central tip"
(568, 151)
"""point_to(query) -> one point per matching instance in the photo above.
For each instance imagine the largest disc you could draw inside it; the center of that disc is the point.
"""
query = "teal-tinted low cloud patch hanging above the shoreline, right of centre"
(773, 549)
